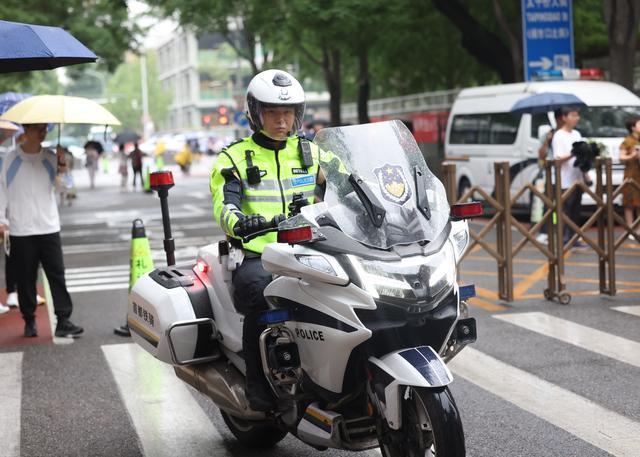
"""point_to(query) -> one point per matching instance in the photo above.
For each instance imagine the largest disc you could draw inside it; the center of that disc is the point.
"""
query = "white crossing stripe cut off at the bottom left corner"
(10, 399)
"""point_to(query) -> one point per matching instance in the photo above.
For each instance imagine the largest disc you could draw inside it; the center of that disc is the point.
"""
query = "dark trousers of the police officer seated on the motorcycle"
(249, 281)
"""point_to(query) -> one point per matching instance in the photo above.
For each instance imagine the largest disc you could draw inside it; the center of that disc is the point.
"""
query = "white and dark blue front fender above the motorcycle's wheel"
(418, 367)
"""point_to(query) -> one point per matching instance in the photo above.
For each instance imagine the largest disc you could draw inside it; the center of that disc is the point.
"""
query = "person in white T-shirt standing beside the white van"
(562, 145)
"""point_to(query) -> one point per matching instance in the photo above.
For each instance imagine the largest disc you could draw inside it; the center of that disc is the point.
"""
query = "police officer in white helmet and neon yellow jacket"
(253, 183)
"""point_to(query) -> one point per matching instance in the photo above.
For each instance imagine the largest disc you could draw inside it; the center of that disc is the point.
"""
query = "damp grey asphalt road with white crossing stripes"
(542, 379)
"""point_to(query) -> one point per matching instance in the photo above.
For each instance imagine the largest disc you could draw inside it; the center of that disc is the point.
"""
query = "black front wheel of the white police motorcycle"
(431, 426)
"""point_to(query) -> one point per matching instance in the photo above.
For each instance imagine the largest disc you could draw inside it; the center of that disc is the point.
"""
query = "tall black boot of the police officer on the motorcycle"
(259, 393)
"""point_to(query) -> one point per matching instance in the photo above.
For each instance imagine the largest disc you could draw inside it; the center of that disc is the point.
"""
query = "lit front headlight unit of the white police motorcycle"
(415, 278)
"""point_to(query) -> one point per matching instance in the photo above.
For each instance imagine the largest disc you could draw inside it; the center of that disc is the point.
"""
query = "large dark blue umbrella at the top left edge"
(25, 47)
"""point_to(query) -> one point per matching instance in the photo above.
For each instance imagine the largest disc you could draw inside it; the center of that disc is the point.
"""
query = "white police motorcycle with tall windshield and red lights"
(364, 309)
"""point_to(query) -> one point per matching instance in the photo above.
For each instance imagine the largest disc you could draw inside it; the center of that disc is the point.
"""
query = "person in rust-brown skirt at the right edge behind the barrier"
(630, 157)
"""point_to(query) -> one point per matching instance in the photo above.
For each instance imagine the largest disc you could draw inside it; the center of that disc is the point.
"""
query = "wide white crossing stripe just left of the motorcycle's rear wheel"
(168, 420)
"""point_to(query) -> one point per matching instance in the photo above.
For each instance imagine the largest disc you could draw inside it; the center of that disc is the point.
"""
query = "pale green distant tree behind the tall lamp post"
(124, 92)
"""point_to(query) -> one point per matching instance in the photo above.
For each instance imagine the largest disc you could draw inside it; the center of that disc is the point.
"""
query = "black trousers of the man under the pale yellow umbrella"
(27, 252)
